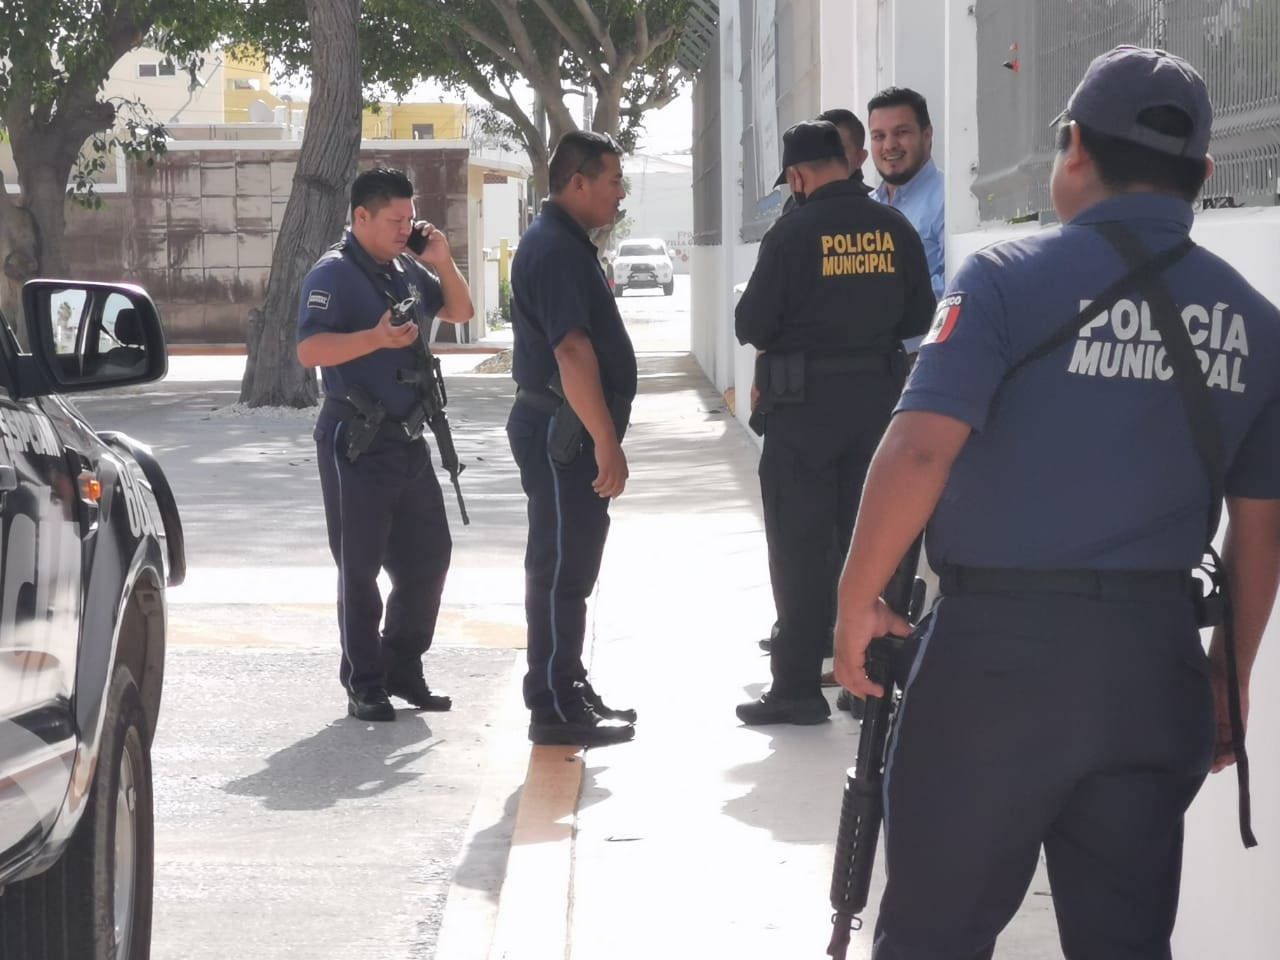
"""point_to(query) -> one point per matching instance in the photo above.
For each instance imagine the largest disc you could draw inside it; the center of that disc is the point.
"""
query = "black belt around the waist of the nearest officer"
(1085, 583)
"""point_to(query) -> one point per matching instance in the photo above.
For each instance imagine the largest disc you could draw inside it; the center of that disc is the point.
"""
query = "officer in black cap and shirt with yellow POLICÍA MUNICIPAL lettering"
(839, 284)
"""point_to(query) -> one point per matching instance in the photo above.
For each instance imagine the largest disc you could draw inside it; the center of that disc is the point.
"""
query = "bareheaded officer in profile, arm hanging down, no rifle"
(575, 371)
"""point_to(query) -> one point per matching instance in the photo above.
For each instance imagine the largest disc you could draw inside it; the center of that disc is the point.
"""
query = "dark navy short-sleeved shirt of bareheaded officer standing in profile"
(559, 286)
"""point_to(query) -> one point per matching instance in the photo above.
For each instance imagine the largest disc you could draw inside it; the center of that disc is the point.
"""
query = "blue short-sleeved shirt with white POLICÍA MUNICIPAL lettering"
(1085, 459)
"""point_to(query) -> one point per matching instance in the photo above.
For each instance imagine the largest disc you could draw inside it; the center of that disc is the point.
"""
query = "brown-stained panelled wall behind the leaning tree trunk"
(200, 227)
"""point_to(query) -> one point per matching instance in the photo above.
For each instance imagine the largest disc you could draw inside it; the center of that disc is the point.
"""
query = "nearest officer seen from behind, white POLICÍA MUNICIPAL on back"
(1062, 697)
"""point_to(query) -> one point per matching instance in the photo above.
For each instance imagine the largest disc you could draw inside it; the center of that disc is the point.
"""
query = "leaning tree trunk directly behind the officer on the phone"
(317, 209)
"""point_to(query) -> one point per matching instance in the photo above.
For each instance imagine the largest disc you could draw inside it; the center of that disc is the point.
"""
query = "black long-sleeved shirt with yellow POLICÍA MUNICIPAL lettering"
(839, 273)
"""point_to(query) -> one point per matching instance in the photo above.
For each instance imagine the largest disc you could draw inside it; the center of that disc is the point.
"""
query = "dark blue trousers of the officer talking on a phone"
(385, 511)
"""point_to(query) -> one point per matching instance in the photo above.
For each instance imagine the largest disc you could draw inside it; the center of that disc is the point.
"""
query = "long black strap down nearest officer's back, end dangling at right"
(1208, 438)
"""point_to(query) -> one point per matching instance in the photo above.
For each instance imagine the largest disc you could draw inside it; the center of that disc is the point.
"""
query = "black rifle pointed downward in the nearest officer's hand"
(889, 659)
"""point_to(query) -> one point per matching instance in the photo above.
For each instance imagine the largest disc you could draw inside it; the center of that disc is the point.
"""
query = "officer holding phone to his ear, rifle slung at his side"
(382, 499)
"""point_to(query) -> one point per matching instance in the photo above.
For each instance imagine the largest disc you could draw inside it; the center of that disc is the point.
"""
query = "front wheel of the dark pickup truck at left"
(109, 866)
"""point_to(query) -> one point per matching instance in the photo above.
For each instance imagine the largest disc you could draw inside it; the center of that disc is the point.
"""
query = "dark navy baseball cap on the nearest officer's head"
(1123, 83)
